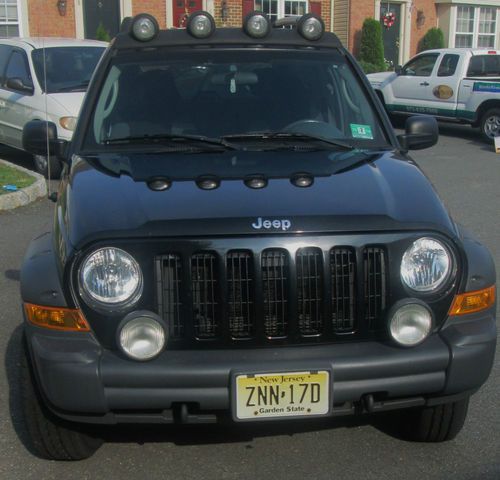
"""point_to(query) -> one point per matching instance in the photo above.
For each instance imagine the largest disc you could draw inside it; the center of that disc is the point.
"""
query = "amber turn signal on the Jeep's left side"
(56, 318)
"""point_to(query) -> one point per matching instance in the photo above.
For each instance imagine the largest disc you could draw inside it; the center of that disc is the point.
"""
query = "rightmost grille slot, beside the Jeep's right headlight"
(375, 283)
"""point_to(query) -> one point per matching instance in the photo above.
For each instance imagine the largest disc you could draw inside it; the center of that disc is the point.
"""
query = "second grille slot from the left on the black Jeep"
(204, 288)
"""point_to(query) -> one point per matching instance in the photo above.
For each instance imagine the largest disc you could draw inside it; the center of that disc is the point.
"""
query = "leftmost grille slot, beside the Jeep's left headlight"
(168, 283)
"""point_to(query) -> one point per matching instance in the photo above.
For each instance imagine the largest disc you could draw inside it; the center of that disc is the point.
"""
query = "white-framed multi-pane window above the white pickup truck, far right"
(476, 27)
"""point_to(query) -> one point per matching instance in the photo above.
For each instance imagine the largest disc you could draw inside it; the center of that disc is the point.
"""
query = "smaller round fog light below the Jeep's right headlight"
(410, 324)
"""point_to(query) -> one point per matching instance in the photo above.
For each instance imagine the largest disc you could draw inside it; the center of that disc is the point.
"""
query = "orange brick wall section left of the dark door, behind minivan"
(44, 19)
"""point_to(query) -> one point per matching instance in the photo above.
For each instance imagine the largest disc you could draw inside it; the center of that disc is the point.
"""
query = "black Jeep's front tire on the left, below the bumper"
(49, 436)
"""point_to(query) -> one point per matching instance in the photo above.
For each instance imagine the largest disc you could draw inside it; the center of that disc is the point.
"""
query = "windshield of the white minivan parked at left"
(69, 69)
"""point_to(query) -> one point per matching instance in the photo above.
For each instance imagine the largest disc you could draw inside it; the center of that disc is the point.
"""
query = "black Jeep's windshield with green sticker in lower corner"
(240, 95)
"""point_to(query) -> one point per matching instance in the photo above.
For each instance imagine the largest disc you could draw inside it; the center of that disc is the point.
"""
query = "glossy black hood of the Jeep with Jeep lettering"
(374, 192)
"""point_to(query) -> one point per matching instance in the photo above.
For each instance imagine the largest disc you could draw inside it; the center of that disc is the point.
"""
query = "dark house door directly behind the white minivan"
(101, 18)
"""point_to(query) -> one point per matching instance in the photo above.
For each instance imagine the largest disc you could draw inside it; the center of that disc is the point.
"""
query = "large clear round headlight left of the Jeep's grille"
(111, 278)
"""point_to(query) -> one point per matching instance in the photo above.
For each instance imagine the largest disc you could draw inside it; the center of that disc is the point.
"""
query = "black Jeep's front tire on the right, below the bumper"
(439, 423)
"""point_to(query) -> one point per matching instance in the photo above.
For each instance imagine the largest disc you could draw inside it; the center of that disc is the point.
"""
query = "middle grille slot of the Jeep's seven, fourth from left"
(274, 271)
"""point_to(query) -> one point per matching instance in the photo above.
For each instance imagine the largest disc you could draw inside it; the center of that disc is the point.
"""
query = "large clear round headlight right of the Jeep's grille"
(426, 265)
